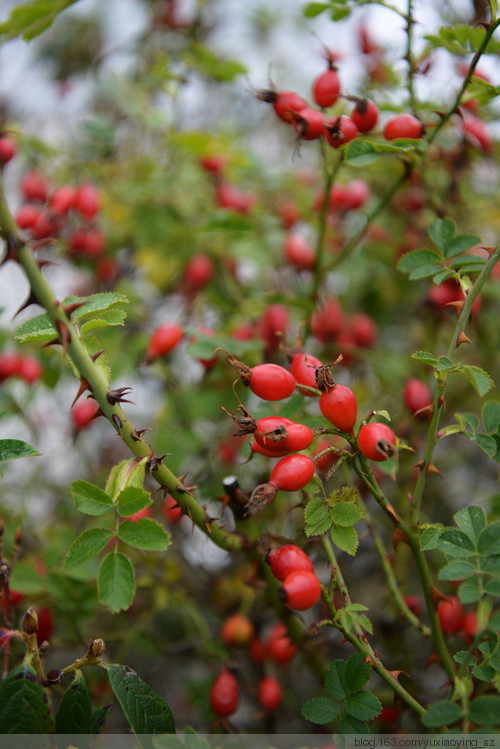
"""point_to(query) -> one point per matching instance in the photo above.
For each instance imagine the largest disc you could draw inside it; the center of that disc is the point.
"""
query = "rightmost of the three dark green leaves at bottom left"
(144, 709)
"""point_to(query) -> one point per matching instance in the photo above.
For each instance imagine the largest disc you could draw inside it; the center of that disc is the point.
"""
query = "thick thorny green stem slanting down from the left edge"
(87, 368)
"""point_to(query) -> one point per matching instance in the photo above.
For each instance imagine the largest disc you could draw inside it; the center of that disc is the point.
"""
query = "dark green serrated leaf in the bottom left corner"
(23, 702)
